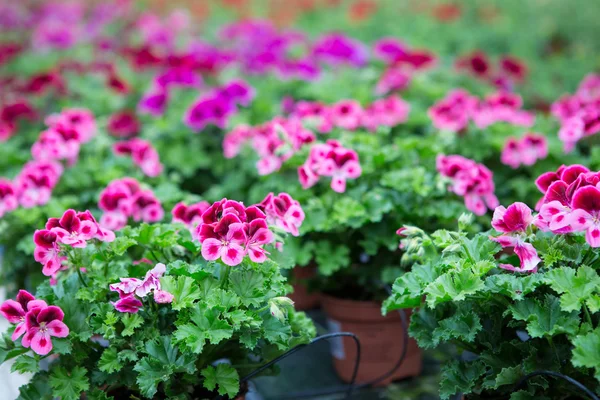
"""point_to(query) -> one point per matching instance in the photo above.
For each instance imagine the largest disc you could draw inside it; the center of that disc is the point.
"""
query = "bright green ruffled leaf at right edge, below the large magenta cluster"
(575, 286)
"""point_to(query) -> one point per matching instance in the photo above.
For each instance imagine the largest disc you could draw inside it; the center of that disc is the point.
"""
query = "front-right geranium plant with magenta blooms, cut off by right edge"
(517, 300)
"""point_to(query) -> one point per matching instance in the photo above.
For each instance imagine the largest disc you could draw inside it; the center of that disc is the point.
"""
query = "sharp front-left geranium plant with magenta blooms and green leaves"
(142, 314)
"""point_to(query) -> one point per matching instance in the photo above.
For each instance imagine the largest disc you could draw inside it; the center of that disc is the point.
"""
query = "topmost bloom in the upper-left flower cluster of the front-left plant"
(71, 230)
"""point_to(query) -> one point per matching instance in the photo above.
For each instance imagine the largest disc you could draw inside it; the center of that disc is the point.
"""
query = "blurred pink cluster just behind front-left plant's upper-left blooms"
(125, 198)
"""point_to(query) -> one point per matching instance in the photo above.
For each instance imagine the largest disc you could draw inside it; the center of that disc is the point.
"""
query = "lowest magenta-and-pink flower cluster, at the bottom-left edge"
(35, 320)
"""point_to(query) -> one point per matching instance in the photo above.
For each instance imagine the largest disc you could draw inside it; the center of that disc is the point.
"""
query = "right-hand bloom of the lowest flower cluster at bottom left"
(42, 324)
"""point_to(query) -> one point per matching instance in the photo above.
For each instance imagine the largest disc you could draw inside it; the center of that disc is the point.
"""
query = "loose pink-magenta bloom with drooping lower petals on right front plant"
(513, 223)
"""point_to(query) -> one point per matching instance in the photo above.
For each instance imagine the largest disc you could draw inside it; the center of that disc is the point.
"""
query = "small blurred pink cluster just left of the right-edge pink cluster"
(524, 151)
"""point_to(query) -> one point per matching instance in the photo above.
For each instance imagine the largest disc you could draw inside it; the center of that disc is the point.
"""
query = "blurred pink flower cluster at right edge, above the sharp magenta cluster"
(579, 114)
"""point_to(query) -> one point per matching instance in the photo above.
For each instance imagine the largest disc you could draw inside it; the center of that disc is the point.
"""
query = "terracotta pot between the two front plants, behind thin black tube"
(381, 339)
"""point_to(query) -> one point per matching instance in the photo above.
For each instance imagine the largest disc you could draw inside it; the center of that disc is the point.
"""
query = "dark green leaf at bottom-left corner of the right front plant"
(460, 377)
